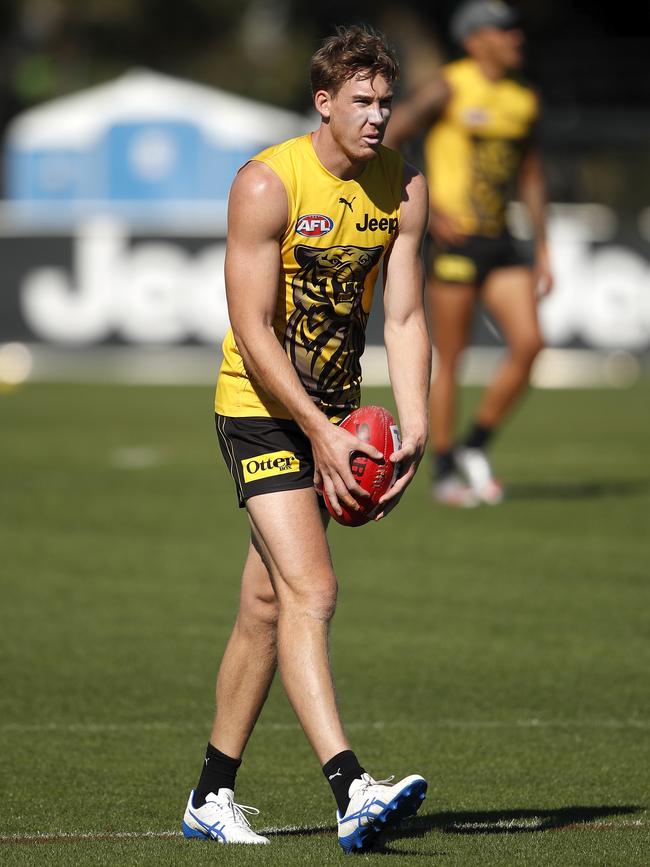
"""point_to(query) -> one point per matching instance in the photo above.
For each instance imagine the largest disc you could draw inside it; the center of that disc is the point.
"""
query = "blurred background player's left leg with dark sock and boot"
(450, 306)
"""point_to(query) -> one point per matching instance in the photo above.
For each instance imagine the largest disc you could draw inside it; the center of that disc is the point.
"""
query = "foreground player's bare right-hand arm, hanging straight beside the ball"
(406, 335)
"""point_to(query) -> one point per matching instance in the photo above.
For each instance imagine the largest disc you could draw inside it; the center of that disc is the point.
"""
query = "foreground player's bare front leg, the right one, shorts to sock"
(290, 534)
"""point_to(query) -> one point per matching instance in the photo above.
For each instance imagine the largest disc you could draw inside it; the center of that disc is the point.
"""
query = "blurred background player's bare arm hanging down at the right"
(532, 192)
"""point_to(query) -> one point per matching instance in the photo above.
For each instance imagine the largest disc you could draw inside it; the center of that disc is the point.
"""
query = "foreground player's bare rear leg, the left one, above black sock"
(249, 661)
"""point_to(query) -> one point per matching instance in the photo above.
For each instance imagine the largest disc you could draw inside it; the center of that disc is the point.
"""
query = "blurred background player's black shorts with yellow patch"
(472, 261)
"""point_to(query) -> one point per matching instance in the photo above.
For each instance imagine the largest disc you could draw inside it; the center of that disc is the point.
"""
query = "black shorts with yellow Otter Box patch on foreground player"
(265, 454)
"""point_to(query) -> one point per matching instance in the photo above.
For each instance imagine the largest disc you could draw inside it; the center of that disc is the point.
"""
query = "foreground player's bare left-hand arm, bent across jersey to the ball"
(257, 217)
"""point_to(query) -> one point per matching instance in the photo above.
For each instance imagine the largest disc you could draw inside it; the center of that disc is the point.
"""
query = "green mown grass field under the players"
(502, 652)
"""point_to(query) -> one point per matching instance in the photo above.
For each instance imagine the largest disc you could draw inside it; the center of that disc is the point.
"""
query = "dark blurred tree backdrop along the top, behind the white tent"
(592, 64)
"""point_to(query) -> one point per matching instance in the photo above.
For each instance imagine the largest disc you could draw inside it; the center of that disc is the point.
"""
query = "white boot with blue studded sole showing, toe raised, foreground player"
(376, 805)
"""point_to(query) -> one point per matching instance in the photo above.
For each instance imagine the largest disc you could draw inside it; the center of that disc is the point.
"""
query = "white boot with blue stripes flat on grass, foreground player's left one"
(220, 819)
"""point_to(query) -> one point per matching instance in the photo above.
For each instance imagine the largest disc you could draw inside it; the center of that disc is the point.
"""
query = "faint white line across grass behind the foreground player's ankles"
(162, 725)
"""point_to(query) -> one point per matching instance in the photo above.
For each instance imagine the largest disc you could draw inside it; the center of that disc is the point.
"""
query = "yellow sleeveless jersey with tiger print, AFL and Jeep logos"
(331, 250)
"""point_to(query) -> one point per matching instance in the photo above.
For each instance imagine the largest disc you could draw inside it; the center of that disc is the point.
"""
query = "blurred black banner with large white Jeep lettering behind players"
(108, 281)
